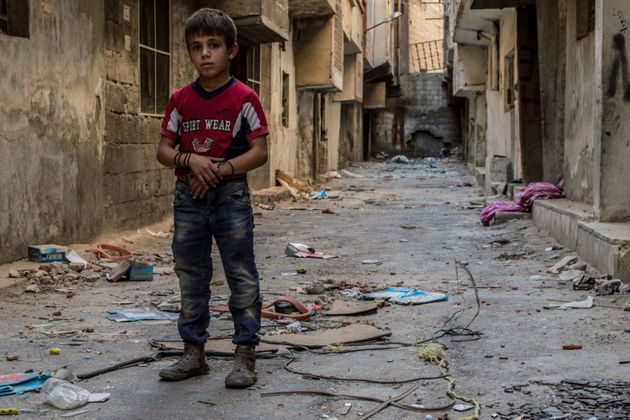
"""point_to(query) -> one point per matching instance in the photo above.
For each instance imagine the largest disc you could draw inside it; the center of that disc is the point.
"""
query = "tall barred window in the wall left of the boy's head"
(155, 56)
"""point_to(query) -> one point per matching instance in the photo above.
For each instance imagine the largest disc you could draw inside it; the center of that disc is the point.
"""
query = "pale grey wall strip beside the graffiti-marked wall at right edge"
(580, 117)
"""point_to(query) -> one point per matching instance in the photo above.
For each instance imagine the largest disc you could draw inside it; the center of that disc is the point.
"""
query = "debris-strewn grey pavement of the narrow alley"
(420, 221)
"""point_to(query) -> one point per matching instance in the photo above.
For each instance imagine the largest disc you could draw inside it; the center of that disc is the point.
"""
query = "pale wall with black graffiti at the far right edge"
(612, 189)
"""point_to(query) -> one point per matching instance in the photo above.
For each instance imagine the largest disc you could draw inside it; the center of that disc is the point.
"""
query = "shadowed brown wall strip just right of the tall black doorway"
(552, 66)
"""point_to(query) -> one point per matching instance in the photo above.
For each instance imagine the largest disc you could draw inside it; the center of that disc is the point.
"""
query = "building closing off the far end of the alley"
(409, 109)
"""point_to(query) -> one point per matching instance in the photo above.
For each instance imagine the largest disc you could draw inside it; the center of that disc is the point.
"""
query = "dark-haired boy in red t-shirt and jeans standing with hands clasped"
(220, 129)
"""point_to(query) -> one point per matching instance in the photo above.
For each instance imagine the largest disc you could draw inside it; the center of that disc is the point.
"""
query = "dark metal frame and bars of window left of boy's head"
(155, 52)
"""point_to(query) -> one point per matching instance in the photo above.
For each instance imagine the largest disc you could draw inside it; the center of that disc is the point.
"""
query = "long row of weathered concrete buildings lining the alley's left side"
(85, 84)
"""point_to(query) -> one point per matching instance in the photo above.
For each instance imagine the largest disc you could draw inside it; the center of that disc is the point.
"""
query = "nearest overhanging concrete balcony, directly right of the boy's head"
(258, 22)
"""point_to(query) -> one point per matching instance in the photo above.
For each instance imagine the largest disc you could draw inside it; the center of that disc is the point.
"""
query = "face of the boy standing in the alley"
(210, 55)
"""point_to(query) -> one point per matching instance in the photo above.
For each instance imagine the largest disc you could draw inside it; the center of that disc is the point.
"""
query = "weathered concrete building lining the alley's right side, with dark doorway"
(546, 91)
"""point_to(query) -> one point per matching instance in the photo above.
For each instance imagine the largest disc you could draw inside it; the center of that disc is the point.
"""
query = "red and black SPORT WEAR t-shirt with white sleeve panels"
(220, 123)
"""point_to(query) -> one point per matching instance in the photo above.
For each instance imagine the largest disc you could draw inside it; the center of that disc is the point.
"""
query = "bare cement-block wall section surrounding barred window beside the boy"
(137, 189)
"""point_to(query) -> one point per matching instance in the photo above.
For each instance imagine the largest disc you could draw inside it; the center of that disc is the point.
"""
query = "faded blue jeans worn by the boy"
(225, 213)
